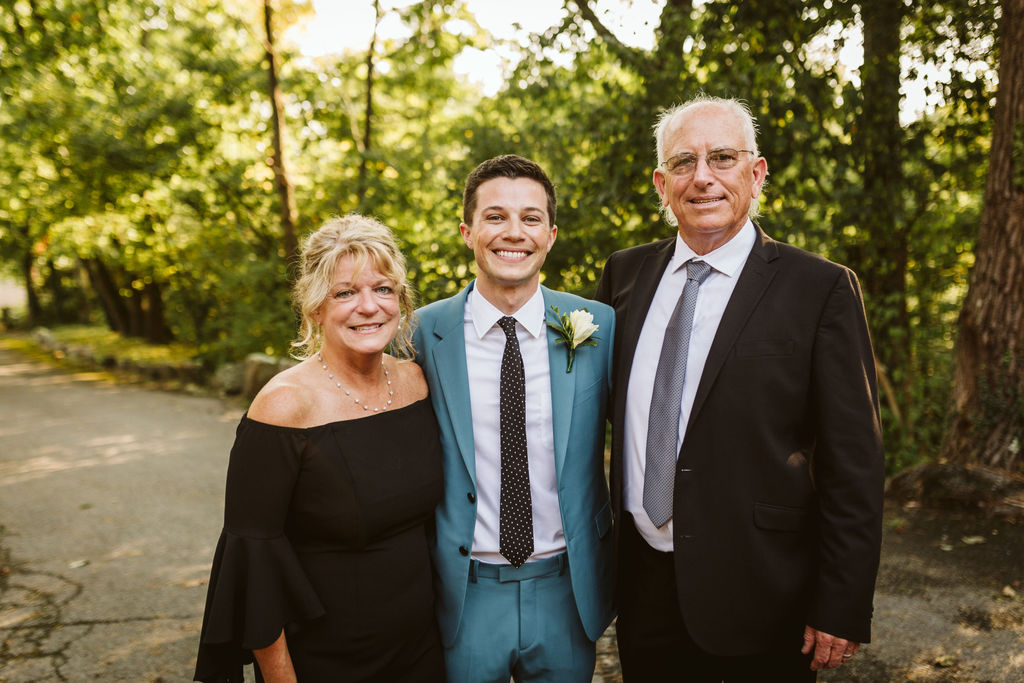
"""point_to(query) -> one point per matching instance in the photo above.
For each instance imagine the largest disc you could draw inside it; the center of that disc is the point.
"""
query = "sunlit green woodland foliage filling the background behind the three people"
(137, 138)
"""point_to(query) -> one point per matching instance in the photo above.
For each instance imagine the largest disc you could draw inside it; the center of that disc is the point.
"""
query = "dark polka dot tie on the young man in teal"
(516, 538)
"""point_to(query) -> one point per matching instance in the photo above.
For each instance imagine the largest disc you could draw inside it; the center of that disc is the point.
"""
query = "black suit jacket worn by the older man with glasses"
(778, 504)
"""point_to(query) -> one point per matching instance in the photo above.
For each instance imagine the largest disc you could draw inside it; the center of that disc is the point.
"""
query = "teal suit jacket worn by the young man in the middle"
(579, 401)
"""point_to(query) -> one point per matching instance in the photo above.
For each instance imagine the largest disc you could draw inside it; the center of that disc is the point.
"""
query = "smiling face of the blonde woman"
(361, 314)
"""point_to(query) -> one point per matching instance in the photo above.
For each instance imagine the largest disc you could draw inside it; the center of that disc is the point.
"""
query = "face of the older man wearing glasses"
(710, 205)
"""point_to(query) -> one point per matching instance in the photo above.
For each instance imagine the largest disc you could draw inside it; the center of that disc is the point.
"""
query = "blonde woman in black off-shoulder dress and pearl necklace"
(322, 572)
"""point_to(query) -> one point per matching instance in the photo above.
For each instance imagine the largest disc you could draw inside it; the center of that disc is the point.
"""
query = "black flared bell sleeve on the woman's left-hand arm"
(258, 585)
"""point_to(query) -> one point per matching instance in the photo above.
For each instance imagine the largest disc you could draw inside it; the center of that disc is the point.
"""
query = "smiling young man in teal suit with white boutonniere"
(524, 546)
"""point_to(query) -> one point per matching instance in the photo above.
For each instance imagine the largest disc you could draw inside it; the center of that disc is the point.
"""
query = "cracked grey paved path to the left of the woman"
(111, 502)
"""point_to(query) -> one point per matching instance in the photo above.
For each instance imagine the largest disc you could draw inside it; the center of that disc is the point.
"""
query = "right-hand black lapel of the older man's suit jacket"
(757, 275)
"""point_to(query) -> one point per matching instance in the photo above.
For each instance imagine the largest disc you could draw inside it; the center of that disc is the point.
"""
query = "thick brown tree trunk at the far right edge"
(989, 387)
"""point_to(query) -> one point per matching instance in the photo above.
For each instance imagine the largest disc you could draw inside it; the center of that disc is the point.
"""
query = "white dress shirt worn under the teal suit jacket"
(485, 347)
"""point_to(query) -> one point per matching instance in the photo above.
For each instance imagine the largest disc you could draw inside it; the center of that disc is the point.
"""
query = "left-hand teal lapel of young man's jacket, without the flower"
(450, 360)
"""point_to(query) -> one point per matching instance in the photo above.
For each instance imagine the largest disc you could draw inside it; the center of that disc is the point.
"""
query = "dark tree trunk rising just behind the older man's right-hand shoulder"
(880, 137)
